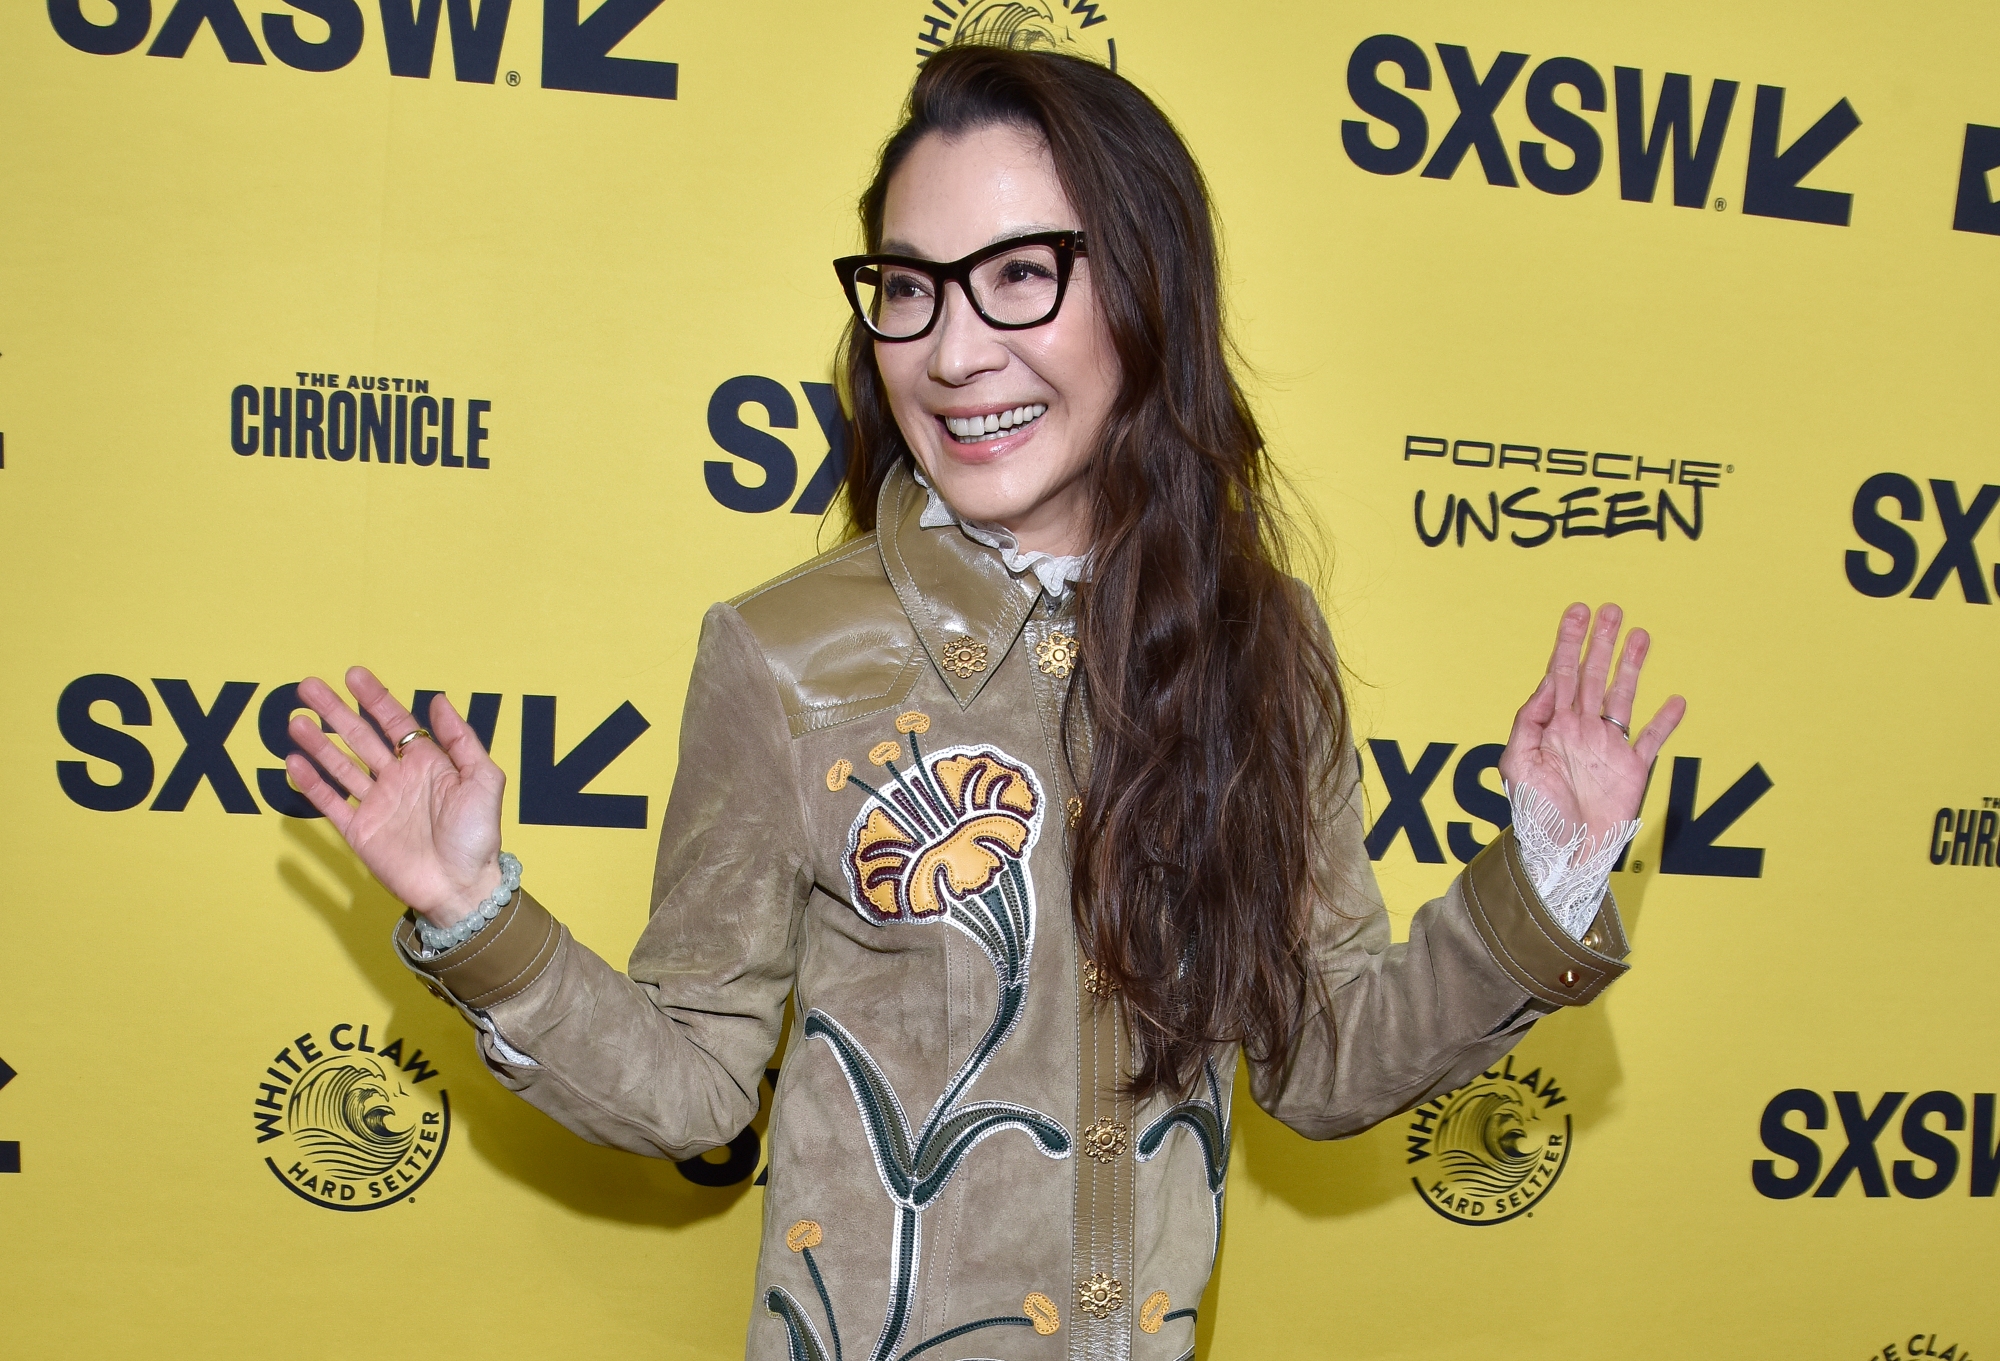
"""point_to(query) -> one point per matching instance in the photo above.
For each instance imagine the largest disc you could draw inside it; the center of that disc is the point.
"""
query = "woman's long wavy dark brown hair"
(1211, 688)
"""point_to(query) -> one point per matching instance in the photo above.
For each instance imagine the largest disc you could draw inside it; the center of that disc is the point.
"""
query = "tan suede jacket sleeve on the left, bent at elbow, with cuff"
(663, 1060)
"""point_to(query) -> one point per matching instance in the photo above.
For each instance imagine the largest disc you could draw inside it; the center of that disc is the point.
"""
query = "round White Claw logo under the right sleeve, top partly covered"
(1491, 1150)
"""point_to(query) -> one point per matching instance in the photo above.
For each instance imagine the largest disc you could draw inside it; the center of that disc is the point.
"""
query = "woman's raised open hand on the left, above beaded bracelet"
(427, 824)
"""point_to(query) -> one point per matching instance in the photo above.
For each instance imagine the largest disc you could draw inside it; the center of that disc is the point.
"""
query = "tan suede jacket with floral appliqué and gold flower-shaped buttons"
(871, 822)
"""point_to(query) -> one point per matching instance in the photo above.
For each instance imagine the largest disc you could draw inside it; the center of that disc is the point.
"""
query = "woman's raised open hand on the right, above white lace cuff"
(1565, 746)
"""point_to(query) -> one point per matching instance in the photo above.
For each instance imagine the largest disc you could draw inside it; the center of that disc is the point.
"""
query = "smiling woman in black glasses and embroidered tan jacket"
(1035, 796)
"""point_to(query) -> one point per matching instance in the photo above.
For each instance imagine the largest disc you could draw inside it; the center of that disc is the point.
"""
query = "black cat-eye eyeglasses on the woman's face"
(1013, 285)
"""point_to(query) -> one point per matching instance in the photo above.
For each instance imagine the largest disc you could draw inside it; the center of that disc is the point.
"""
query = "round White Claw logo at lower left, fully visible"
(347, 1122)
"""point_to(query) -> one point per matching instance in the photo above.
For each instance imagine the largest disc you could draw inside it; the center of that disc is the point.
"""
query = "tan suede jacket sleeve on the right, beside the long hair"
(1395, 1026)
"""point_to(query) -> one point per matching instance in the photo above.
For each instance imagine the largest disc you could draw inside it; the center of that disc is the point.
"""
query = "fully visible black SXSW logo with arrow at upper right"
(1555, 97)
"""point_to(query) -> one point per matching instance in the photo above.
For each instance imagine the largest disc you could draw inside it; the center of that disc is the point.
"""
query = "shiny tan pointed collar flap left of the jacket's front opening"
(959, 595)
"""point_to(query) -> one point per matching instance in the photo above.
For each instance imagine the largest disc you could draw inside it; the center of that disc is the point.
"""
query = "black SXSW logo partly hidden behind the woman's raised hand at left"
(97, 716)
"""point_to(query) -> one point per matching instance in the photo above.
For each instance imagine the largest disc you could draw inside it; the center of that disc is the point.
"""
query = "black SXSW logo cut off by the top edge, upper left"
(575, 49)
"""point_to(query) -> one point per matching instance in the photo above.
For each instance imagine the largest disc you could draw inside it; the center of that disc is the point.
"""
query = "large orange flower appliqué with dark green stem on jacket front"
(943, 840)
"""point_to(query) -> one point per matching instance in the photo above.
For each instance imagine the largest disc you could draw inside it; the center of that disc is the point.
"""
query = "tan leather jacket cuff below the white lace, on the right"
(1529, 946)
